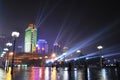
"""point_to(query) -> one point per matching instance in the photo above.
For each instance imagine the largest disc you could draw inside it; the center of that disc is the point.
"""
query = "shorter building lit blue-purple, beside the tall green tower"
(42, 46)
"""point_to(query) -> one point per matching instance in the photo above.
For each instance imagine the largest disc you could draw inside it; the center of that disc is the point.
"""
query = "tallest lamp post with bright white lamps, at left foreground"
(14, 35)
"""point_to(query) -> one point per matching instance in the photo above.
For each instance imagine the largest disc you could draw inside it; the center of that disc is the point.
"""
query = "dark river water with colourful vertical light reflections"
(49, 73)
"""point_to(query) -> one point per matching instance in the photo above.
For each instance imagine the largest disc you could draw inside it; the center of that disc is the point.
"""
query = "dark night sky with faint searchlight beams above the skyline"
(74, 20)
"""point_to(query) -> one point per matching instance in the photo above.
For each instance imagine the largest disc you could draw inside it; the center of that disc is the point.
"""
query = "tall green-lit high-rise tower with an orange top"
(30, 38)
